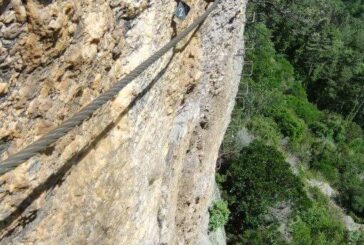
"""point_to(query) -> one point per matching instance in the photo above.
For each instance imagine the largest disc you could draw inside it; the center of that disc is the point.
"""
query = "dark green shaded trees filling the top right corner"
(323, 39)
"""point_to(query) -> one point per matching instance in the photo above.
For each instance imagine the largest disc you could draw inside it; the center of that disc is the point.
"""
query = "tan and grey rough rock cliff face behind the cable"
(141, 170)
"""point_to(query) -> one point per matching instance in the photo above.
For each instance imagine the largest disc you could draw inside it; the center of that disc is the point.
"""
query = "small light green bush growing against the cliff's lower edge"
(219, 215)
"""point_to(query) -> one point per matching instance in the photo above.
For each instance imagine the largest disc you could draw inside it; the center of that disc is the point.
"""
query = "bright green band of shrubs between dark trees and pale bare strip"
(333, 146)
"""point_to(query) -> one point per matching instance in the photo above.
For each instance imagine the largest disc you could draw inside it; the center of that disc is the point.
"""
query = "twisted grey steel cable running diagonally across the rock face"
(85, 113)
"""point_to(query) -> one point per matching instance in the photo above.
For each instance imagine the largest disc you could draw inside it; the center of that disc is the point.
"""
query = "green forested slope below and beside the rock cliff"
(293, 157)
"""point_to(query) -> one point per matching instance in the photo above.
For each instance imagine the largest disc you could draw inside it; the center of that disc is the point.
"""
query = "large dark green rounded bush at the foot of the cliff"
(256, 180)
